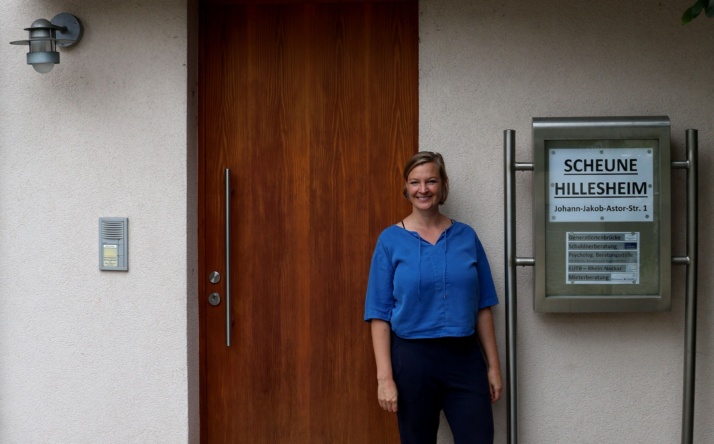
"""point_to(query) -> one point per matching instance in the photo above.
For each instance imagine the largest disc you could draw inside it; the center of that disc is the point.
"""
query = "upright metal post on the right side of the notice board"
(690, 335)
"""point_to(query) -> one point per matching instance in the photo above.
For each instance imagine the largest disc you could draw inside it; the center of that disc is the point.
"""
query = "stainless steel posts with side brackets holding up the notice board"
(512, 261)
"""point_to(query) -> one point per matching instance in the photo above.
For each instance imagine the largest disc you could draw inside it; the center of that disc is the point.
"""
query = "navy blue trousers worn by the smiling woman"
(446, 374)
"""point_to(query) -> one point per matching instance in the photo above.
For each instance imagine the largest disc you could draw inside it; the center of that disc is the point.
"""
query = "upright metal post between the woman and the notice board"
(509, 145)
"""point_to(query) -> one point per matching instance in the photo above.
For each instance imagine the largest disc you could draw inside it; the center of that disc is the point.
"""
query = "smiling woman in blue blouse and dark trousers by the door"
(428, 300)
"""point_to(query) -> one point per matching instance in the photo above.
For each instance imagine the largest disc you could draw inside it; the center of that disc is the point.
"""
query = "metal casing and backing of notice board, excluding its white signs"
(653, 292)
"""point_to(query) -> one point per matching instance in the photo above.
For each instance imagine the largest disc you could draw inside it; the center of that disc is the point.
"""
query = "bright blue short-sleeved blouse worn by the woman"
(429, 291)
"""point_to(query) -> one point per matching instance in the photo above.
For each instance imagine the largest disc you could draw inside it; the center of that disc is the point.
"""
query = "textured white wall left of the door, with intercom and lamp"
(90, 356)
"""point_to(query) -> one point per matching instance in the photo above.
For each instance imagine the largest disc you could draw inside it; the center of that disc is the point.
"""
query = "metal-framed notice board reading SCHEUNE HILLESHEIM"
(602, 214)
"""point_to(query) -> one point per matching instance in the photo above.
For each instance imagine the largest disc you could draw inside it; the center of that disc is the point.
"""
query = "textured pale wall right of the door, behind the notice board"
(491, 65)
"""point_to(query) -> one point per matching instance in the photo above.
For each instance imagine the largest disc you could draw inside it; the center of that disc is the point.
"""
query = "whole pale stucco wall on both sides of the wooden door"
(89, 356)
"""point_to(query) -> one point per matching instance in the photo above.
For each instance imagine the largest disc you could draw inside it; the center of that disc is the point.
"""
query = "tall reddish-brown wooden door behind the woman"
(313, 109)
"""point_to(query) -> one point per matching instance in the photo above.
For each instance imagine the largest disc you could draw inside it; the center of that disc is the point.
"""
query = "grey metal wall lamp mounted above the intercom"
(65, 30)
